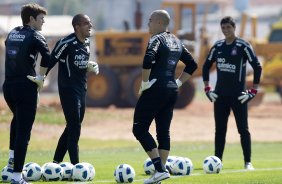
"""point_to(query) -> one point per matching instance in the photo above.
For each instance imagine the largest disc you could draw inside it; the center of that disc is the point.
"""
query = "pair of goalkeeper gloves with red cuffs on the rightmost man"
(245, 96)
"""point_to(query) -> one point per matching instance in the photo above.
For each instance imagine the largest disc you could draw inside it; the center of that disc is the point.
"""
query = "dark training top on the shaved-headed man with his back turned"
(163, 52)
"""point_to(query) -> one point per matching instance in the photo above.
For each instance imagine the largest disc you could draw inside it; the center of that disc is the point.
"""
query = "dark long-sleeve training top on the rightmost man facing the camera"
(231, 60)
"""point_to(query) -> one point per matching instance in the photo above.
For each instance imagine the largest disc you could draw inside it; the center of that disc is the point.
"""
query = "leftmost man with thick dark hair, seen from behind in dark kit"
(23, 44)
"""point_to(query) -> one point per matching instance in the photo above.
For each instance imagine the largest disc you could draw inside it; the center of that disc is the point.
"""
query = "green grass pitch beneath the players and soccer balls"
(106, 155)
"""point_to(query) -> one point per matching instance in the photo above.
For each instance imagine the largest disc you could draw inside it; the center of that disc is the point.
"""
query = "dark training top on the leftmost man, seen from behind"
(22, 47)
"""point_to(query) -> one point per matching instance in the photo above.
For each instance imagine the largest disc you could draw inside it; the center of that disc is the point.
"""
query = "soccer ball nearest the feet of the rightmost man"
(212, 164)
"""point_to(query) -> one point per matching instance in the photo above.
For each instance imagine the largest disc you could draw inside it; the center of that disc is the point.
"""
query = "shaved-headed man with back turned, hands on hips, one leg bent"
(159, 91)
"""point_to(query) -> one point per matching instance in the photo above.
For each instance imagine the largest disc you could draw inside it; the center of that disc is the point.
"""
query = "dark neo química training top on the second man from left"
(73, 56)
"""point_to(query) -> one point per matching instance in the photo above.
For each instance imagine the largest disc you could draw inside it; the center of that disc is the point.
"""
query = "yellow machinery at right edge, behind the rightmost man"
(271, 52)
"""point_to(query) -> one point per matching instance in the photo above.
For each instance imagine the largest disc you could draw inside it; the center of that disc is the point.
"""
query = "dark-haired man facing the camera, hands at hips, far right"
(231, 56)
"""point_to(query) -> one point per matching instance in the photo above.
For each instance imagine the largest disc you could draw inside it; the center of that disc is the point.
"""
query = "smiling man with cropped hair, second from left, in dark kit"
(72, 53)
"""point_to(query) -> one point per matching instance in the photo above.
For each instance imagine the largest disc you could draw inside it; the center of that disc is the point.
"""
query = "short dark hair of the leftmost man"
(33, 10)
